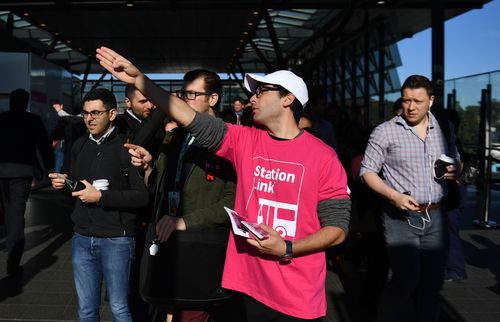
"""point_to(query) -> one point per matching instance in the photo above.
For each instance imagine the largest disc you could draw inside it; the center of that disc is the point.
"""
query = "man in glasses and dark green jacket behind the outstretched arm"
(198, 183)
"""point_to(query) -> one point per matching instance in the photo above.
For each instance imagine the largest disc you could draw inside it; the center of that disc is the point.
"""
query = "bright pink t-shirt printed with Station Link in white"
(280, 183)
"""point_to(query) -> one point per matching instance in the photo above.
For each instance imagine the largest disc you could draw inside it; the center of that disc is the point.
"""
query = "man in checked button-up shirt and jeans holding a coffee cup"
(404, 150)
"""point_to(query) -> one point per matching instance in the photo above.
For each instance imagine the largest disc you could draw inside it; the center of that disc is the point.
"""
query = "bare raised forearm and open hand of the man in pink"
(125, 71)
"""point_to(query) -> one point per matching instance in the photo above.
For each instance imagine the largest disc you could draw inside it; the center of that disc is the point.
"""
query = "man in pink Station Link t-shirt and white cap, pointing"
(289, 182)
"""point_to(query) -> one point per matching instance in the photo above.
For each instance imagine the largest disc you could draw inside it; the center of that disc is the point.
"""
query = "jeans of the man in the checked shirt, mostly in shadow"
(417, 245)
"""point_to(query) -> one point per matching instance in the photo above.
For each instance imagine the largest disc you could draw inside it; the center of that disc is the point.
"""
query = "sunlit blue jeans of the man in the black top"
(95, 258)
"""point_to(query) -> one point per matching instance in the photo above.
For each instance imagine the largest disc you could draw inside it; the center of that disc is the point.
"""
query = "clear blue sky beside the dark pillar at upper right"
(472, 45)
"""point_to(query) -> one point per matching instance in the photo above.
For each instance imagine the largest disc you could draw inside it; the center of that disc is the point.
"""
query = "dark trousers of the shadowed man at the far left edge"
(14, 193)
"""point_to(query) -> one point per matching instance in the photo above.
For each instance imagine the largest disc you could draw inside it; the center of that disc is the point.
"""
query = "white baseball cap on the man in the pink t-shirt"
(285, 78)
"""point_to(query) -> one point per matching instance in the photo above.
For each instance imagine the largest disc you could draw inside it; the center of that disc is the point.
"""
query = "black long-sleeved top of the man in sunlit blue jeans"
(115, 213)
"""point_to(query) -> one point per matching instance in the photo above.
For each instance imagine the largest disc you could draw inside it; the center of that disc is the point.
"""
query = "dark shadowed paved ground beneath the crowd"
(45, 292)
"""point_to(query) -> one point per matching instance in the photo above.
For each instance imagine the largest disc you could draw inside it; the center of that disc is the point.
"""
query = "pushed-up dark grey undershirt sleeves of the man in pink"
(210, 131)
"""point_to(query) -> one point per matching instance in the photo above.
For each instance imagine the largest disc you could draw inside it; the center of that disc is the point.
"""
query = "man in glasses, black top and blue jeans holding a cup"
(103, 244)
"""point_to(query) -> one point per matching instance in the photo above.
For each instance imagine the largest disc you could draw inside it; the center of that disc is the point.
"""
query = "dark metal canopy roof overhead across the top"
(233, 36)
